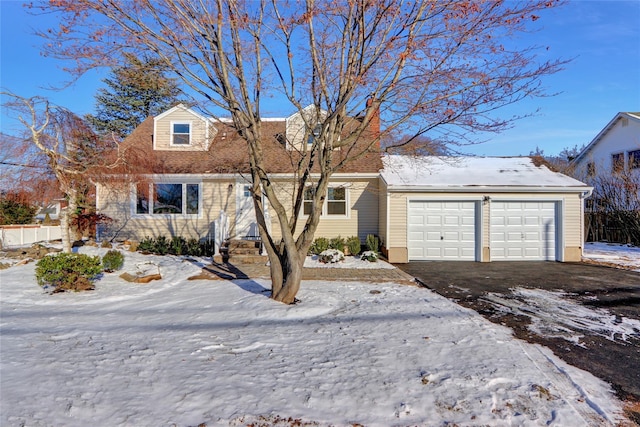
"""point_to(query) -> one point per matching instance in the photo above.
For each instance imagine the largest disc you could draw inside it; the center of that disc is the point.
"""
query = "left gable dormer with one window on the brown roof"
(182, 129)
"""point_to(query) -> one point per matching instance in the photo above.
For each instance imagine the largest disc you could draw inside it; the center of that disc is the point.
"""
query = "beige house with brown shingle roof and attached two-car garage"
(194, 176)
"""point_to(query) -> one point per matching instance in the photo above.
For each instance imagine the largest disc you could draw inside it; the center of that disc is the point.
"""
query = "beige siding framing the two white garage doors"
(569, 224)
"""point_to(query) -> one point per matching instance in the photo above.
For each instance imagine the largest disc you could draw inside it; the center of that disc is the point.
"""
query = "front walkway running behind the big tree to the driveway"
(223, 271)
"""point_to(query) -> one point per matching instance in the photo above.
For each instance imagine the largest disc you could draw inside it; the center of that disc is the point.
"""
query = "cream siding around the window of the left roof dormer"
(162, 133)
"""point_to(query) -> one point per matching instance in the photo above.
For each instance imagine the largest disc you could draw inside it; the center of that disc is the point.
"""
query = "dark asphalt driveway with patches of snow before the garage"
(499, 292)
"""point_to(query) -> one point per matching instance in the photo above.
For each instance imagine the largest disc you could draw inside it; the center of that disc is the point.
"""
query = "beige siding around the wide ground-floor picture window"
(116, 204)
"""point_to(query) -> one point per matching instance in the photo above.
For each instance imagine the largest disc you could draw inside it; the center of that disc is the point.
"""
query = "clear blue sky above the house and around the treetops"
(602, 37)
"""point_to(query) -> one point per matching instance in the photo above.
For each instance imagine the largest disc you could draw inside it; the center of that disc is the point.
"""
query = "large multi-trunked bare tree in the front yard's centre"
(427, 68)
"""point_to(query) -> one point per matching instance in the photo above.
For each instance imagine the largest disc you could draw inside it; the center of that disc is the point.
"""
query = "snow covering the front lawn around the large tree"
(179, 352)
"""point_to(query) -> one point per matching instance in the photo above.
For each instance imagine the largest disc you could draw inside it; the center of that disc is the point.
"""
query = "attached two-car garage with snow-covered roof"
(479, 209)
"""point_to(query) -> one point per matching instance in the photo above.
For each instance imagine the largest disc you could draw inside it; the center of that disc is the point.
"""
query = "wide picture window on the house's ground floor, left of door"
(168, 199)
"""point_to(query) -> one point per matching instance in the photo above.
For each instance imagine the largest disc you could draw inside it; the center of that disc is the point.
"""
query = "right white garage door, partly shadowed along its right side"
(523, 231)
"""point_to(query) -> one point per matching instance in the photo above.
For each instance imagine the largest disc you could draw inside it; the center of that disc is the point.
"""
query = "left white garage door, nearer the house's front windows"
(442, 230)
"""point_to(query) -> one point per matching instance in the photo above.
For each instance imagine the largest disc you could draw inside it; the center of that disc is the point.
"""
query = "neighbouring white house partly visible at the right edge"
(615, 148)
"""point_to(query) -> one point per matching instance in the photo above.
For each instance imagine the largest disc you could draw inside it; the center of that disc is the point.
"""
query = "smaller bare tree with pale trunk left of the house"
(71, 150)
